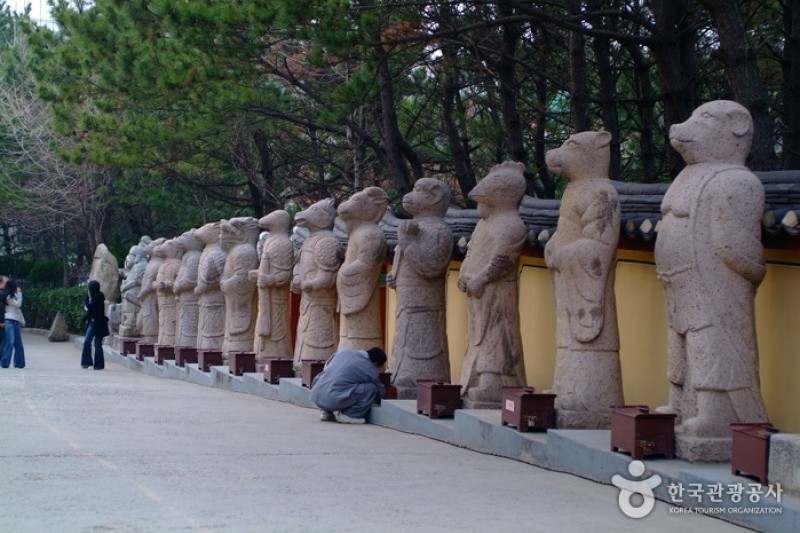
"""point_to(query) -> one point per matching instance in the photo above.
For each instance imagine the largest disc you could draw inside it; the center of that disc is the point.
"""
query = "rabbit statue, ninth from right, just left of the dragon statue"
(211, 301)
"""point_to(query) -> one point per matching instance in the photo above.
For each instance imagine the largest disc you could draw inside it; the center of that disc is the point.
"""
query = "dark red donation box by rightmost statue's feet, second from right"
(637, 431)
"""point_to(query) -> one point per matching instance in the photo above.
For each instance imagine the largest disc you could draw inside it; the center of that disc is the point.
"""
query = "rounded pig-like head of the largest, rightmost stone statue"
(719, 131)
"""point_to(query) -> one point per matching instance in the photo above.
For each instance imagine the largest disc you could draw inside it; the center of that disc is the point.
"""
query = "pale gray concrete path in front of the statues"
(117, 450)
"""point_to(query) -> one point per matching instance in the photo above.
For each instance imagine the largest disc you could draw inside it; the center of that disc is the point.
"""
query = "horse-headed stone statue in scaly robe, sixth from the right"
(314, 278)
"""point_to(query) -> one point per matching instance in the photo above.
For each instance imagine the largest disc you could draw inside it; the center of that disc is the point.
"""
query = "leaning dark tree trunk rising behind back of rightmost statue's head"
(741, 71)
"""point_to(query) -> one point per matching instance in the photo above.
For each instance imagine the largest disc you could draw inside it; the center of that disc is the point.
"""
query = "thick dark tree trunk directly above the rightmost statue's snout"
(675, 61)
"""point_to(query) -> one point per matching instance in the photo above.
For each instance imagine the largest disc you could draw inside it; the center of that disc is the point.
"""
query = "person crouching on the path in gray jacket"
(349, 384)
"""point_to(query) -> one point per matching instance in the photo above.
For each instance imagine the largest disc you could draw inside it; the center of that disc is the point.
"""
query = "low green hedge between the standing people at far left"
(41, 305)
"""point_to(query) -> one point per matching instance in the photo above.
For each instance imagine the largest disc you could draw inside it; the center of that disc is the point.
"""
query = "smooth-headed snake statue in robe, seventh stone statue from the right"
(273, 277)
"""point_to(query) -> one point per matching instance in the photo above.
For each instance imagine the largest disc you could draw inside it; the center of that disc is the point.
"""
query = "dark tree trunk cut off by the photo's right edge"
(791, 85)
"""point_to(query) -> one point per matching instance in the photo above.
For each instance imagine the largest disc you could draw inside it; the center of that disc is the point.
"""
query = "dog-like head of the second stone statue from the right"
(582, 155)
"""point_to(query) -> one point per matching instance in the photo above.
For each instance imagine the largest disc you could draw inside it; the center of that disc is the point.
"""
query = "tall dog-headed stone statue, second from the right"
(582, 261)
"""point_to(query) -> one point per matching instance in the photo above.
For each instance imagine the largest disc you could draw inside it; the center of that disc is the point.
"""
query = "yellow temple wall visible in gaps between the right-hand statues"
(643, 330)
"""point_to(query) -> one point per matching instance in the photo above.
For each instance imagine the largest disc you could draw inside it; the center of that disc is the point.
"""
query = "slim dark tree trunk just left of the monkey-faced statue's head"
(392, 138)
